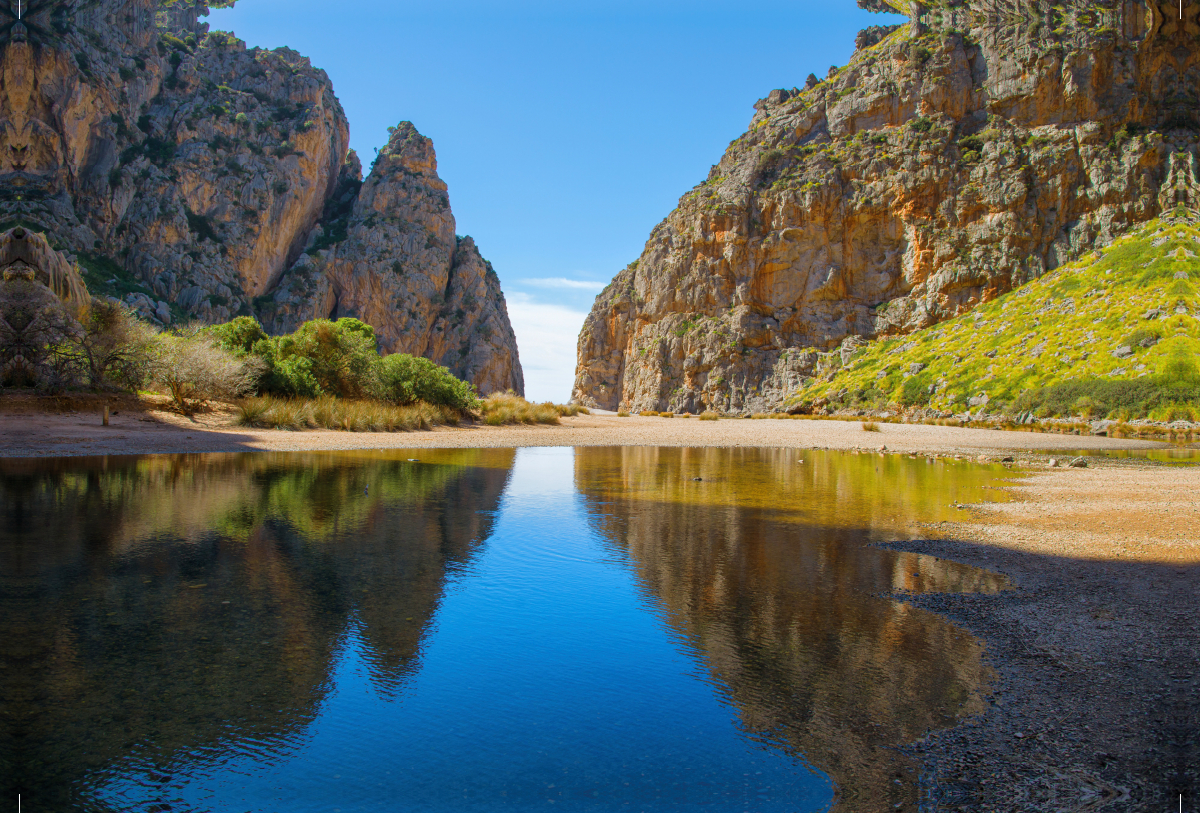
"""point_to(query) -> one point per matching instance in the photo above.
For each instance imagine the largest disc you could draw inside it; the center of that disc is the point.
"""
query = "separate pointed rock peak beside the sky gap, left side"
(388, 255)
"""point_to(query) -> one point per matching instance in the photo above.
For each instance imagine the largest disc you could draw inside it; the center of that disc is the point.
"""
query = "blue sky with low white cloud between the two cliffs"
(566, 130)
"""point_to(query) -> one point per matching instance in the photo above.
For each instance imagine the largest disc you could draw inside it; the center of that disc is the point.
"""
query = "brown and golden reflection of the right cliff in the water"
(764, 568)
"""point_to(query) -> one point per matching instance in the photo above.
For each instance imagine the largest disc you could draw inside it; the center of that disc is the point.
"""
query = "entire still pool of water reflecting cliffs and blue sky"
(477, 630)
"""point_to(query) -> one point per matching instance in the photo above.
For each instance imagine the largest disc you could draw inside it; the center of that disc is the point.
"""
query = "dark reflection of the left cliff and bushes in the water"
(112, 575)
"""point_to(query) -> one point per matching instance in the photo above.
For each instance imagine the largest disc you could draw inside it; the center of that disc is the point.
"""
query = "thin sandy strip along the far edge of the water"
(43, 435)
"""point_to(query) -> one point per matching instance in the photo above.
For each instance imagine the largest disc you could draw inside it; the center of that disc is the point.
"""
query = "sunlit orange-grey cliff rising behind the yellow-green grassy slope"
(959, 156)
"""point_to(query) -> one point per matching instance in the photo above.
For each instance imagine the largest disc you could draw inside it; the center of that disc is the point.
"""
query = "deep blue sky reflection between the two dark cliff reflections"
(544, 682)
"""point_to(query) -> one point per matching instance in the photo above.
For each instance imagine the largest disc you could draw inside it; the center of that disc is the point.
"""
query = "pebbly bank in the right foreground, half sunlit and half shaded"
(1097, 706)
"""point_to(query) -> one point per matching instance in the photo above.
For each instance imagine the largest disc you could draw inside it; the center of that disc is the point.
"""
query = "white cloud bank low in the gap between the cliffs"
(547, 338)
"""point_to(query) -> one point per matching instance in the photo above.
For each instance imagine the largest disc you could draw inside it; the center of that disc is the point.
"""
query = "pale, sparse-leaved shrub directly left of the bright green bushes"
(195, 371)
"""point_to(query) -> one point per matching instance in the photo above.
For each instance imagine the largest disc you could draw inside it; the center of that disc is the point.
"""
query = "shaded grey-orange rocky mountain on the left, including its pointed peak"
(199, 179)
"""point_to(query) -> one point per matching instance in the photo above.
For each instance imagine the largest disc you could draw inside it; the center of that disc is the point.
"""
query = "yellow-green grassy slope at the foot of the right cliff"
(1114, 335)
